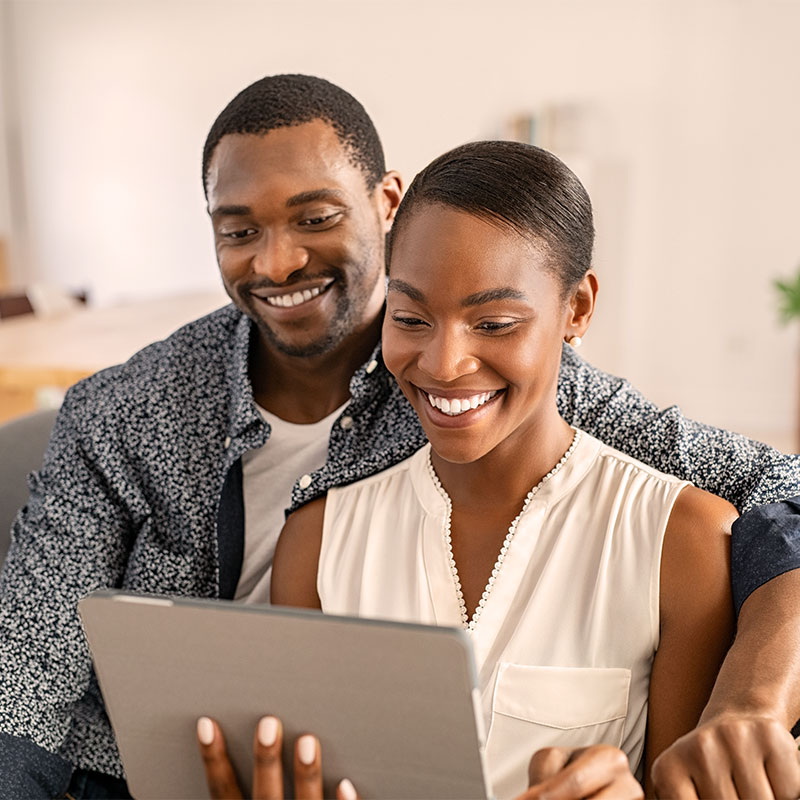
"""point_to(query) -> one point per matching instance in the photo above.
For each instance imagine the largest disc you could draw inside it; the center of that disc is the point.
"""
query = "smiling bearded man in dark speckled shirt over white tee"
(170, 473)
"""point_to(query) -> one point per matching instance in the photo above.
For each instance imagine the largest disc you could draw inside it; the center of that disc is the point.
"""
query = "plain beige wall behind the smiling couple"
(687, 139)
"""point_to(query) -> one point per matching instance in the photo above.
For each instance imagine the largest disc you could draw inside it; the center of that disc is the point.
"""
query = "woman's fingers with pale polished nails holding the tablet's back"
(267, 766)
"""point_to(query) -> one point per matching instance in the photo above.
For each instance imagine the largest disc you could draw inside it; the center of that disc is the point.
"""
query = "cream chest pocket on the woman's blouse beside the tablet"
(535, 707)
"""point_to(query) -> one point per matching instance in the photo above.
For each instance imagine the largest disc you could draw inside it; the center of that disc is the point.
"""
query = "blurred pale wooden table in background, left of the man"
(41, 358)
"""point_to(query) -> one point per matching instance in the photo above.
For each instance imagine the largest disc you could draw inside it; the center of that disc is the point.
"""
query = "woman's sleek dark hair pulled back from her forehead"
(515, 186)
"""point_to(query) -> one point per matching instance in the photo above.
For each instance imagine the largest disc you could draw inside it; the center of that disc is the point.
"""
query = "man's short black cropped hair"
(280, 101)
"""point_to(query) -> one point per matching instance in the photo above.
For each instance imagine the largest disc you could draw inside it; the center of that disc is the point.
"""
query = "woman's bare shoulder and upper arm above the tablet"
(294, 568)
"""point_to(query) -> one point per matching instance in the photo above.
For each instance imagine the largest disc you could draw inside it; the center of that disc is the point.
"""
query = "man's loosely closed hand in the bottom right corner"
(734, 755)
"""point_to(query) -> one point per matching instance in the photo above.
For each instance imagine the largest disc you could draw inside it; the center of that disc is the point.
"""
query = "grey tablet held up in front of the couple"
(395, 706)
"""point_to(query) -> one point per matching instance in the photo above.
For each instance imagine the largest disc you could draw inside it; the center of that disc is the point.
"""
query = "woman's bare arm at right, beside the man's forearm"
(697, 618)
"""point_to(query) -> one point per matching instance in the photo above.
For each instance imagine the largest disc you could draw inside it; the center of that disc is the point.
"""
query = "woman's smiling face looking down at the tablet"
(473, 332)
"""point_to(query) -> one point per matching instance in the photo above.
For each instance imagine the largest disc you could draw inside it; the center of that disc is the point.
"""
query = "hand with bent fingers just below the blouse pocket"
(598, 772)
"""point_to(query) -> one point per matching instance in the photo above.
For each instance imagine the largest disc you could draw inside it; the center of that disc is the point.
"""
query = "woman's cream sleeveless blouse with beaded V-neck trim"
(566, 639)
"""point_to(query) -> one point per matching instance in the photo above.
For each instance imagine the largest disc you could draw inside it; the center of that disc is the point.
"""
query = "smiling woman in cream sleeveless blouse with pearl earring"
(594, 587)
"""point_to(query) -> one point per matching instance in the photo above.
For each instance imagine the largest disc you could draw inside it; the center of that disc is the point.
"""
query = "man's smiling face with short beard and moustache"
(299, 236)
